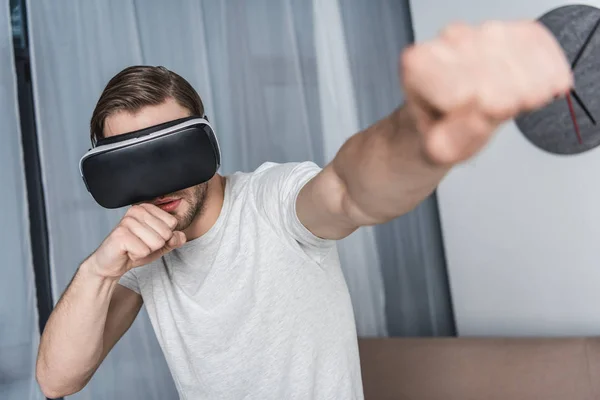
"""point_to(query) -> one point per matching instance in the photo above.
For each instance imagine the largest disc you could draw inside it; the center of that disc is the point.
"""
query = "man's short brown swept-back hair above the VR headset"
(140, 86)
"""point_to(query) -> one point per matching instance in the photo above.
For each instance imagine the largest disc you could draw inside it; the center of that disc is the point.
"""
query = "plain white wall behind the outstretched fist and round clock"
(521, 227)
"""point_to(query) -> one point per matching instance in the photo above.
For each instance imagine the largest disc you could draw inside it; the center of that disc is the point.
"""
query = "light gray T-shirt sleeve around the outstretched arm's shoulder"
(276, 189)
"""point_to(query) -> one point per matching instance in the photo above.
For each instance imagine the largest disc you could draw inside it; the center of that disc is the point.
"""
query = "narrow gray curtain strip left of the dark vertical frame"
(19, 335)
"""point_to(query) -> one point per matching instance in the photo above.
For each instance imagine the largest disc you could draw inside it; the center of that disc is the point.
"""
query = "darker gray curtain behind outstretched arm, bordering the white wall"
(417, 296)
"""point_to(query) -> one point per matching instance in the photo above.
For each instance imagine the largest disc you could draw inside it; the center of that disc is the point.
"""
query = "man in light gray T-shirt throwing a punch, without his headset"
(240, 275)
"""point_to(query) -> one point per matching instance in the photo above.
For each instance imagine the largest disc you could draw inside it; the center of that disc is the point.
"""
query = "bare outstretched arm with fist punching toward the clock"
(459, 88)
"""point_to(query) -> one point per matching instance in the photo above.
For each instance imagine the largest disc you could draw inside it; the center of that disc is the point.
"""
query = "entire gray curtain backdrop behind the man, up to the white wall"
(282, 80)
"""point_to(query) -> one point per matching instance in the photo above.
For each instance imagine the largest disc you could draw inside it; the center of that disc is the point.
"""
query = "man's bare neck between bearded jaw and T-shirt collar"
(212, 209)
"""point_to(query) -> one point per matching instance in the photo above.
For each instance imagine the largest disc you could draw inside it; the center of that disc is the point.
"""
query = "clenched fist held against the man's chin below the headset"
(144, 234)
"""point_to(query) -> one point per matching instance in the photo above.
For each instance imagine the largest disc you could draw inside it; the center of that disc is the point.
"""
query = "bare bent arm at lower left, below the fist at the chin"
(91, 316)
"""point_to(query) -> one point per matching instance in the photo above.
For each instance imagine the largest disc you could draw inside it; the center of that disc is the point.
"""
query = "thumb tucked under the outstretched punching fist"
(458, 136)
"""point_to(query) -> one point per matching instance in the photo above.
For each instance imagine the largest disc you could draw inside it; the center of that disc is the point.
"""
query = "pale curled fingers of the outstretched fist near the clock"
(502, 68)
